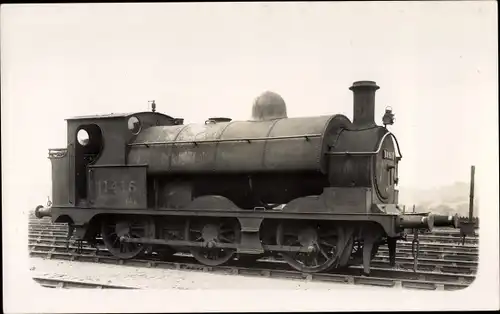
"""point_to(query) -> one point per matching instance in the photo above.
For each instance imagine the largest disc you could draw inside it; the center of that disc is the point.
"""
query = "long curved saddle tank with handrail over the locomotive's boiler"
(289, 144)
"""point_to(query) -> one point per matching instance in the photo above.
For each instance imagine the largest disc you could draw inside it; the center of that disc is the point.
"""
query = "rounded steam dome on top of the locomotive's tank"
(268, 106)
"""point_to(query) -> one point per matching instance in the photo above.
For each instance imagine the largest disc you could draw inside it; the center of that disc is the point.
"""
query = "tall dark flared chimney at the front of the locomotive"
(364, 103)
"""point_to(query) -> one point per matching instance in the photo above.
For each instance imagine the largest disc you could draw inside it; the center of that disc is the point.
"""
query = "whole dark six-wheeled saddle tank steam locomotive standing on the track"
(319, 191)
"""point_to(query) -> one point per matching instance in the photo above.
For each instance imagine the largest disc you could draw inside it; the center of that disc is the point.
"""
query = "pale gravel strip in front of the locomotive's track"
(151, 278)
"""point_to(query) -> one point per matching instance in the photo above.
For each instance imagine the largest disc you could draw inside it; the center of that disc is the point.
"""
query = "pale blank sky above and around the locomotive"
(436, 64)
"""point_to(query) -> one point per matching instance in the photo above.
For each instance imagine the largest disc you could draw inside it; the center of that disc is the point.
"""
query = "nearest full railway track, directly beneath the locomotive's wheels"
(381, 276)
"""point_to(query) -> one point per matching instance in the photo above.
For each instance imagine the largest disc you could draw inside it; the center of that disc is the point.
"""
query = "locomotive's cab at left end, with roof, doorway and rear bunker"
(97, 144)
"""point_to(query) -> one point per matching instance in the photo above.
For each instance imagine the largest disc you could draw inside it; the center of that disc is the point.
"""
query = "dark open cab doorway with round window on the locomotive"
(89, 146)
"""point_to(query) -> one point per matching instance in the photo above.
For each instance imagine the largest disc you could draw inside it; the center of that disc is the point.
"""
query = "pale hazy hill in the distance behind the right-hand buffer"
(449, 199)
